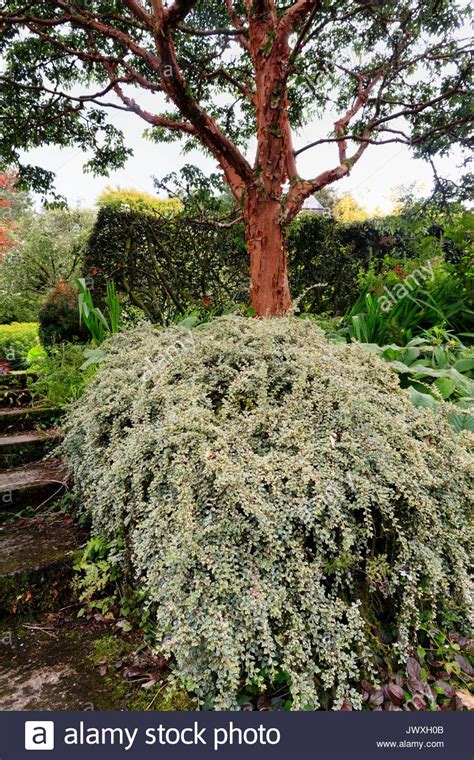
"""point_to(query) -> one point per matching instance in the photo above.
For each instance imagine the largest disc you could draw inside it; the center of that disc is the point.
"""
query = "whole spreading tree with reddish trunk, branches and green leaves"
(223, 72)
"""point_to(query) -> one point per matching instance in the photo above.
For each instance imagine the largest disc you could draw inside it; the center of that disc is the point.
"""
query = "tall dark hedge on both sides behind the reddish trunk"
(169, 263)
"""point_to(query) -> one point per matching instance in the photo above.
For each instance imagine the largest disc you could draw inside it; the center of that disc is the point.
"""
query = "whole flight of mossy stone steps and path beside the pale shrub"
(44, 663)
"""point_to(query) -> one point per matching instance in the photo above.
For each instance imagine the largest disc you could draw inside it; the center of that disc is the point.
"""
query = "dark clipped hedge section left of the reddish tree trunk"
(166, 264)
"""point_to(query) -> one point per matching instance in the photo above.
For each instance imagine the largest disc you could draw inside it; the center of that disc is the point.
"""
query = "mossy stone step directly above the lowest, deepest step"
(32, 485)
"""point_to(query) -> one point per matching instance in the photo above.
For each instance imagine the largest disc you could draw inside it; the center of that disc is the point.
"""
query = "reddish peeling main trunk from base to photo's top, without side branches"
(275, 162)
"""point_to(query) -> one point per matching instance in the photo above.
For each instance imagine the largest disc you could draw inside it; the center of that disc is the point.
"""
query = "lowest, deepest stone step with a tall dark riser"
(36, 563)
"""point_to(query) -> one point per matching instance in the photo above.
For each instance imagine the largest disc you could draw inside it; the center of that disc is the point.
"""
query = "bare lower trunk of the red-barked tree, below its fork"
(265, 238)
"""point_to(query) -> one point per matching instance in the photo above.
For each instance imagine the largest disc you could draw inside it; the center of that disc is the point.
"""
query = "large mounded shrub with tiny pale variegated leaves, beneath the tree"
(283, 503)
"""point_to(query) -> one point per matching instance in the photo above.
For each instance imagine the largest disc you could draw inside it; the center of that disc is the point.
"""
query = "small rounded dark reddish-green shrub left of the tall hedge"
(59, 317)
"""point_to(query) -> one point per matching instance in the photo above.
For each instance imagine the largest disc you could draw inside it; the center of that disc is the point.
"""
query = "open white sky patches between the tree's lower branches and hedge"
(372, 182)
